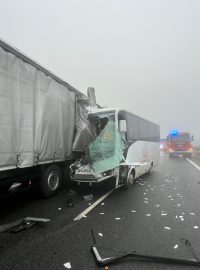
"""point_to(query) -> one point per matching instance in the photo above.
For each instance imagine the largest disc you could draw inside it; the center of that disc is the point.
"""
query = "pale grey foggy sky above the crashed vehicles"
(140, 55)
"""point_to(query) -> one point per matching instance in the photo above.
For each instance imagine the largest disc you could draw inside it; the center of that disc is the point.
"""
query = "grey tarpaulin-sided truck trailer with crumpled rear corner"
(41, 117)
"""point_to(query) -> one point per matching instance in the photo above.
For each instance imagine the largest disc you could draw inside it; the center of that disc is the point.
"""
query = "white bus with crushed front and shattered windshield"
(140, 146)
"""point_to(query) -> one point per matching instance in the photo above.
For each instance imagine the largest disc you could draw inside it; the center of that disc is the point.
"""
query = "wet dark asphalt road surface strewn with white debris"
(153, 218)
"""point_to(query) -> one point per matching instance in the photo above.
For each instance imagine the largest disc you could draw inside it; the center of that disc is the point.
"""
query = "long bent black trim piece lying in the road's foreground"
(106, 261)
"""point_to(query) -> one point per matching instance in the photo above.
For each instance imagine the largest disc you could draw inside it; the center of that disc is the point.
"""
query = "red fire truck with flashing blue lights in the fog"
(179, 143)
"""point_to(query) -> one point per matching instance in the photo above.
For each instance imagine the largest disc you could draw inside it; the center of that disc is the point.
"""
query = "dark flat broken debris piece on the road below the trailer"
(22, 224)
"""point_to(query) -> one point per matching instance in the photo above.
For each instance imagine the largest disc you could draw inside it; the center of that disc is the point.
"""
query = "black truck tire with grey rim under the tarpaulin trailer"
(51, 180)
